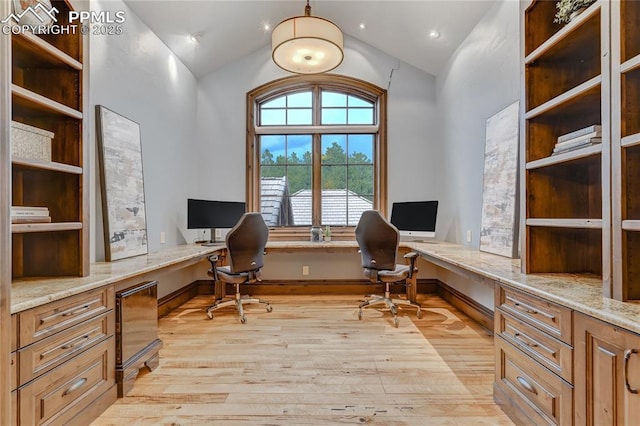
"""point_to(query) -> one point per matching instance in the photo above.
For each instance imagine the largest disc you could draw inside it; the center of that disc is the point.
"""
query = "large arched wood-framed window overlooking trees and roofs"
(316, 151)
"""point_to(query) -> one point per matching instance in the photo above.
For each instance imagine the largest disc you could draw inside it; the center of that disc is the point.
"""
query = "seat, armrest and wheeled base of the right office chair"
(406, 272)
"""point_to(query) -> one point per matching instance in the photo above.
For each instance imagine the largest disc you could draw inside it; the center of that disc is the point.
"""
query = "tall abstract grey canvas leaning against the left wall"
(122, 181)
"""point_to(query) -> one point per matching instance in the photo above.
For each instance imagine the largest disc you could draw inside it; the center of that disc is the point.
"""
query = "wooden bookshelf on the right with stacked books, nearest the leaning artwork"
(566, 89)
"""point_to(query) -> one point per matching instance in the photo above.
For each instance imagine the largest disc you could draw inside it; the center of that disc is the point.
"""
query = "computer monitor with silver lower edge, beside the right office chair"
(415, 219)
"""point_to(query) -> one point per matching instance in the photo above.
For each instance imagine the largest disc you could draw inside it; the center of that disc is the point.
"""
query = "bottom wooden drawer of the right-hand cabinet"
(545, 397)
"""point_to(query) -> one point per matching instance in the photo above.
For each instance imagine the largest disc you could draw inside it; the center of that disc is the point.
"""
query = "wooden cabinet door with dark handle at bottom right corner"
(607, 374)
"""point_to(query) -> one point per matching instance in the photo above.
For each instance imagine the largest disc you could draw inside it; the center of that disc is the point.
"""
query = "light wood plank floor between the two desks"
(312, 362)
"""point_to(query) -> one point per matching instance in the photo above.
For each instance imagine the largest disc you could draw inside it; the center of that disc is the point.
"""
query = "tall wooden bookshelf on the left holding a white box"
(48, 87)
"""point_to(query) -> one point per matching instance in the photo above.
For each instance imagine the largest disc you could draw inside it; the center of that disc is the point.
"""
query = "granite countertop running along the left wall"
(31, 292)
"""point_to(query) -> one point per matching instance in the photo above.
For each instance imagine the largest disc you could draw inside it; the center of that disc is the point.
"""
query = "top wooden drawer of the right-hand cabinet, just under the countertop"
(544, 315)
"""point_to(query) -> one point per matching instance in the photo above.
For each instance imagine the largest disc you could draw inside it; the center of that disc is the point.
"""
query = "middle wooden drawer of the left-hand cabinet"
(48, 353)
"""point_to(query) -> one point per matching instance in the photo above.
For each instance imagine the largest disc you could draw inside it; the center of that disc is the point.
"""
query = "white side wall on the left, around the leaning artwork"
(137, 76)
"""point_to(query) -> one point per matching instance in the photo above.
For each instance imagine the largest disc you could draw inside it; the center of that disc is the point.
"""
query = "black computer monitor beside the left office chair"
(203, 214)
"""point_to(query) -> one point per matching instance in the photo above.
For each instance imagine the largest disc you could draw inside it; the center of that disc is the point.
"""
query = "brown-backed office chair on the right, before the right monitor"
(378, 240)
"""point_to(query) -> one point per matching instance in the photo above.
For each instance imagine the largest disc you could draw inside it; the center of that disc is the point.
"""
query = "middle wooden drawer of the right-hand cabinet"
(550, 352)
